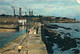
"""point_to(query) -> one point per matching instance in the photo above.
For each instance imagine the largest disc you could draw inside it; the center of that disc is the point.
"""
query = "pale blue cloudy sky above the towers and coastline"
(63, 8)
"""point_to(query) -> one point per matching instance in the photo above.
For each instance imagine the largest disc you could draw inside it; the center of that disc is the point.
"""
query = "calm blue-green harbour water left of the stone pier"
(8, 36)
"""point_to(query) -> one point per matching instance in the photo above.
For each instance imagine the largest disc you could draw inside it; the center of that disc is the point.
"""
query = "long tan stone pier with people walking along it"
(31, 44)
